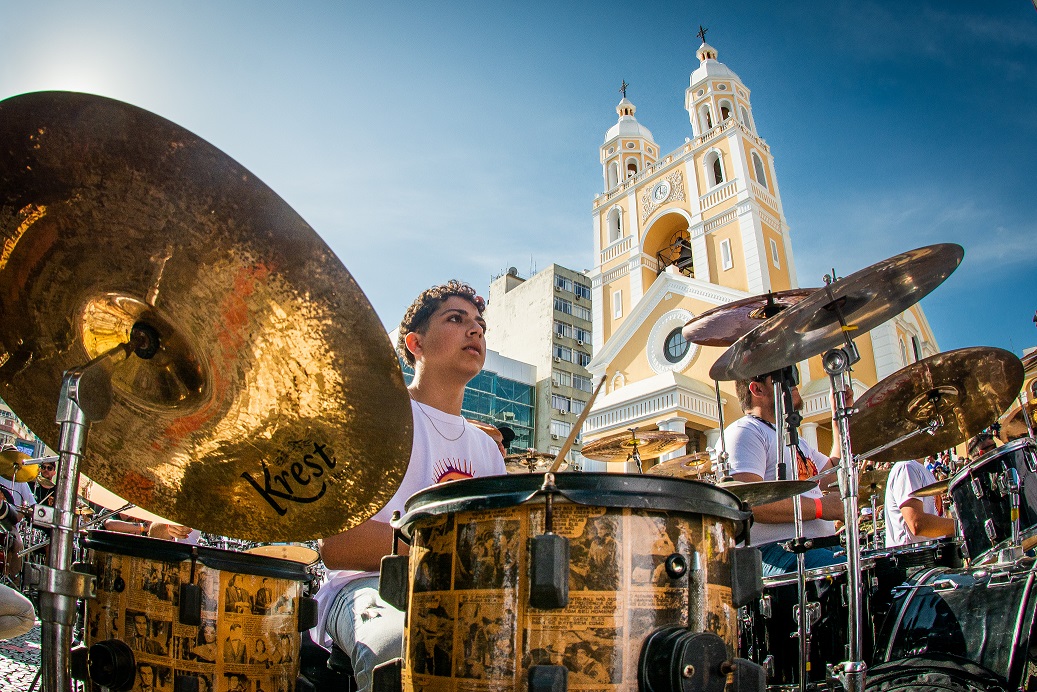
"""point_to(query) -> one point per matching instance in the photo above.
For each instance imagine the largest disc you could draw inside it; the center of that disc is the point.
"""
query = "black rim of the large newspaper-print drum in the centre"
(628, 491)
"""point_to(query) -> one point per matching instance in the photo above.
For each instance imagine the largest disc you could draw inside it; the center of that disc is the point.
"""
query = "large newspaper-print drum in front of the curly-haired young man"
(470, 626)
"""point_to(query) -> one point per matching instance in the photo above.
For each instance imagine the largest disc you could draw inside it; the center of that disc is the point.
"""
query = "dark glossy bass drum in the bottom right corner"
(975, 624)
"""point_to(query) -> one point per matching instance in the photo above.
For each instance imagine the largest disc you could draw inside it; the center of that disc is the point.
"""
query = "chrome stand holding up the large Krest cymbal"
(86, 398)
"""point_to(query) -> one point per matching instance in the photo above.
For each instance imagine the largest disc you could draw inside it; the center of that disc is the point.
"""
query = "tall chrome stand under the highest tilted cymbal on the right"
(837, 364)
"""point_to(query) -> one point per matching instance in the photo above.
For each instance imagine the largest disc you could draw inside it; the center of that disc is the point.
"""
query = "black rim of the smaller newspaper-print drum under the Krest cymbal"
(215, 559)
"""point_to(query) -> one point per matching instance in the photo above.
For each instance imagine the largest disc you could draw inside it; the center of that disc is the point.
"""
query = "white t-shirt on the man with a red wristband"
(753, 449)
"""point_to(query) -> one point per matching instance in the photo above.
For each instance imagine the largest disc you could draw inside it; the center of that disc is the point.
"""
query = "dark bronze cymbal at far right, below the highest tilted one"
(967, 390)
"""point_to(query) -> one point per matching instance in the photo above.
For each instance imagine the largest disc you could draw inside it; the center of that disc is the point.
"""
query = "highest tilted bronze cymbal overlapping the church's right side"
(865, 299)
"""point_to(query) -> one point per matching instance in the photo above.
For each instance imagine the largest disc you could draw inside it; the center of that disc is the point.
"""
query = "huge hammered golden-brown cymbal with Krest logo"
(274, 409)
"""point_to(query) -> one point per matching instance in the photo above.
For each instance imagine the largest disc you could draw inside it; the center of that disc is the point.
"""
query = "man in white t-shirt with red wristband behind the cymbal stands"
(753, 449)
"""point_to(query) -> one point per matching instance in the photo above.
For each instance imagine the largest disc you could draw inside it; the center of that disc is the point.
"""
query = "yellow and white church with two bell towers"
(680, 233)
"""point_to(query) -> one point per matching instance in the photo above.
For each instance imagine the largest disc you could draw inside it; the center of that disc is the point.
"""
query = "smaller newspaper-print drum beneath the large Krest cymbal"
(248, 639)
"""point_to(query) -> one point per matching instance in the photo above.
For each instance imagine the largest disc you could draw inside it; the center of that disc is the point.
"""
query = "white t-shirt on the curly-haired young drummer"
(446, 448)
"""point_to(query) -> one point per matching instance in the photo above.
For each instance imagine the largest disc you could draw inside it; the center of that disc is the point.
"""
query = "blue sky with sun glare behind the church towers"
(425, 143)
